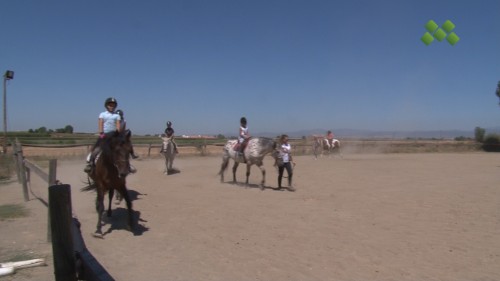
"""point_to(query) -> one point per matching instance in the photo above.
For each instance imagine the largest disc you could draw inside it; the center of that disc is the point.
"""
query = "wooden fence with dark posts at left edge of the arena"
(72, 260)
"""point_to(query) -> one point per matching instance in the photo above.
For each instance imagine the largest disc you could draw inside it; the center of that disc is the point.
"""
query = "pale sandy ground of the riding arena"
(364, 217)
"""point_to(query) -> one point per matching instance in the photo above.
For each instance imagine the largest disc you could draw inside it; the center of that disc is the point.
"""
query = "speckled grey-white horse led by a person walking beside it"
(253, 153)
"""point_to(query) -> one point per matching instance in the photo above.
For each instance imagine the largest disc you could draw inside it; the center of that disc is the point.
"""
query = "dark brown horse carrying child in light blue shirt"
(110, 172)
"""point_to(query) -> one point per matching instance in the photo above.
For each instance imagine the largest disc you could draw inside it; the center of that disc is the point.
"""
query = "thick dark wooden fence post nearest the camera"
(62, 239)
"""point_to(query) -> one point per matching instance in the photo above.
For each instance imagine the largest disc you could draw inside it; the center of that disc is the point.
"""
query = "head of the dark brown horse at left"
(120, 148)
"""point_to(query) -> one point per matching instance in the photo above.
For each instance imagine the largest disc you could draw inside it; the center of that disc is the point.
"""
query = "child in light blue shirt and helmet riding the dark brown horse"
(109, 122)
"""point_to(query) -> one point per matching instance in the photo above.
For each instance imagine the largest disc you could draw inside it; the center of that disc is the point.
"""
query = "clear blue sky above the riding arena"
(286, 65)
